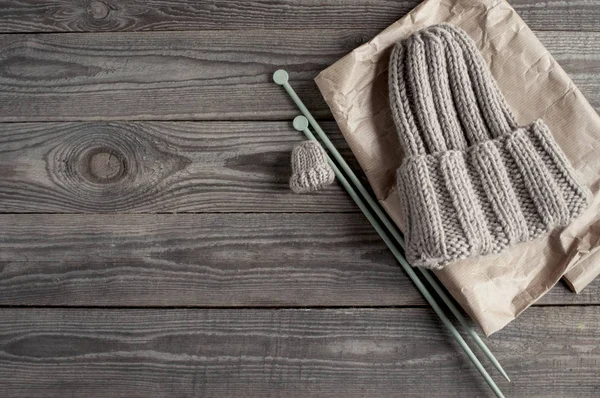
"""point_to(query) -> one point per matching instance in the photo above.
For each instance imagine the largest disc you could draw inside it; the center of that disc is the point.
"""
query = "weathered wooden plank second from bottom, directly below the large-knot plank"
(209, 260)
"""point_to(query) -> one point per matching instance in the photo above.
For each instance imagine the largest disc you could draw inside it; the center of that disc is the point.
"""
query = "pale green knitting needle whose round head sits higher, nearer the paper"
(281, 77)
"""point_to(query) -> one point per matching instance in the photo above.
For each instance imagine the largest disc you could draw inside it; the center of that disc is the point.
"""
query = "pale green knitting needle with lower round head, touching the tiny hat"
(301, 124)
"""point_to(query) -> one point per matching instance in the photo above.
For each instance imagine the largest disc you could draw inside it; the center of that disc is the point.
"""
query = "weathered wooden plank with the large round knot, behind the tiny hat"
(112, 167)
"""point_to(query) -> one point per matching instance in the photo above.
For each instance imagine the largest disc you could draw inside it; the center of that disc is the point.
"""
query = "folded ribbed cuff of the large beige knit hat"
(496, 193)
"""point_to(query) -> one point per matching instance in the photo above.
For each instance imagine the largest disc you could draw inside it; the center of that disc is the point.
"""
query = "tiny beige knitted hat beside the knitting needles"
(310, 170)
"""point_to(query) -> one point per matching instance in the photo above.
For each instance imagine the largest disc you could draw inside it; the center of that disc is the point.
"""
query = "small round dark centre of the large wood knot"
(104, 165)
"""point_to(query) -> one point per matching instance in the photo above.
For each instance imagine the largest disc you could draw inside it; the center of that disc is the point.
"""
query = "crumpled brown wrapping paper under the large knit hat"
(492, 289)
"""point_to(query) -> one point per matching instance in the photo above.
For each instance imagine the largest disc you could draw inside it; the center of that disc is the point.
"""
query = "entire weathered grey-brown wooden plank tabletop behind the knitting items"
(150, 246)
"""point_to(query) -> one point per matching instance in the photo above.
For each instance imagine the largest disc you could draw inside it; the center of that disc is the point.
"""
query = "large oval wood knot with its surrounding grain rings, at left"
(112, 166)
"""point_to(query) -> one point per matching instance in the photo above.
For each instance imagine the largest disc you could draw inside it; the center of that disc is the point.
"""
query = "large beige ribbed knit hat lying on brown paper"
(472, 182)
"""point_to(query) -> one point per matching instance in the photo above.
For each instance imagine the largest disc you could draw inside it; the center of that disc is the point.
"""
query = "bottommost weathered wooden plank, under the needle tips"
(548, 352)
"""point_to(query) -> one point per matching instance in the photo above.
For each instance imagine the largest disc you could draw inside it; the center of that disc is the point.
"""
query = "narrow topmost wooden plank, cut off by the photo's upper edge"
(138, 15)
